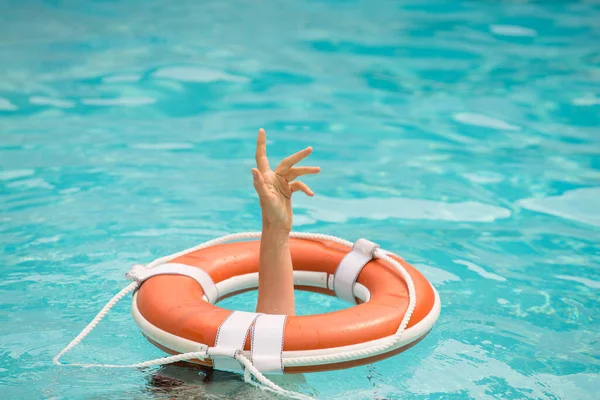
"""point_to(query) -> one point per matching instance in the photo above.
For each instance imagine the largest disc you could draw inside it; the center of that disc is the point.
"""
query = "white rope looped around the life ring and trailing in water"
(249, 369)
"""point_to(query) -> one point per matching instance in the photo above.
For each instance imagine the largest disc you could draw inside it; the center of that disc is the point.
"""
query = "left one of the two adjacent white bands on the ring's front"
(231, 338)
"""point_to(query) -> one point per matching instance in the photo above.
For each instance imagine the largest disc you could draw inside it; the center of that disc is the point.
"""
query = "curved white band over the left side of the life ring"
(139, 273)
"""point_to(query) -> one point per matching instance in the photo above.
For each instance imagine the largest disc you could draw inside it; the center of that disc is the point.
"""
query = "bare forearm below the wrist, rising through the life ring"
(275, 273)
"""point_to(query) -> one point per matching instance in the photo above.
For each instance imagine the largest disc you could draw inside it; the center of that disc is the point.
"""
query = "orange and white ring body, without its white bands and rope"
(173, 315)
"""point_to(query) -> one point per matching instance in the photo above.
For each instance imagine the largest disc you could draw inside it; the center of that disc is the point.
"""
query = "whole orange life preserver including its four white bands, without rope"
(174, 307)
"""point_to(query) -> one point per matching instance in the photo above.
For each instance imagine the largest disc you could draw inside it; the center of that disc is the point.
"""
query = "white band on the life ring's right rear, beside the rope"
(349, 268)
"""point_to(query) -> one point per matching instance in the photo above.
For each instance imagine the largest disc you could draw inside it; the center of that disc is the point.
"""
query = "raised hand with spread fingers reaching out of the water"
(275, 188)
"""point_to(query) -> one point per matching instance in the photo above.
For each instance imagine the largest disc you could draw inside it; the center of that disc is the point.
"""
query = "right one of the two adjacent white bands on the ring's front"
(267, 343)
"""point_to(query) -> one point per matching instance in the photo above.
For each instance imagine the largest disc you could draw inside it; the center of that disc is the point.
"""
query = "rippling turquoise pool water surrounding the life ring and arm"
(463, 135)
